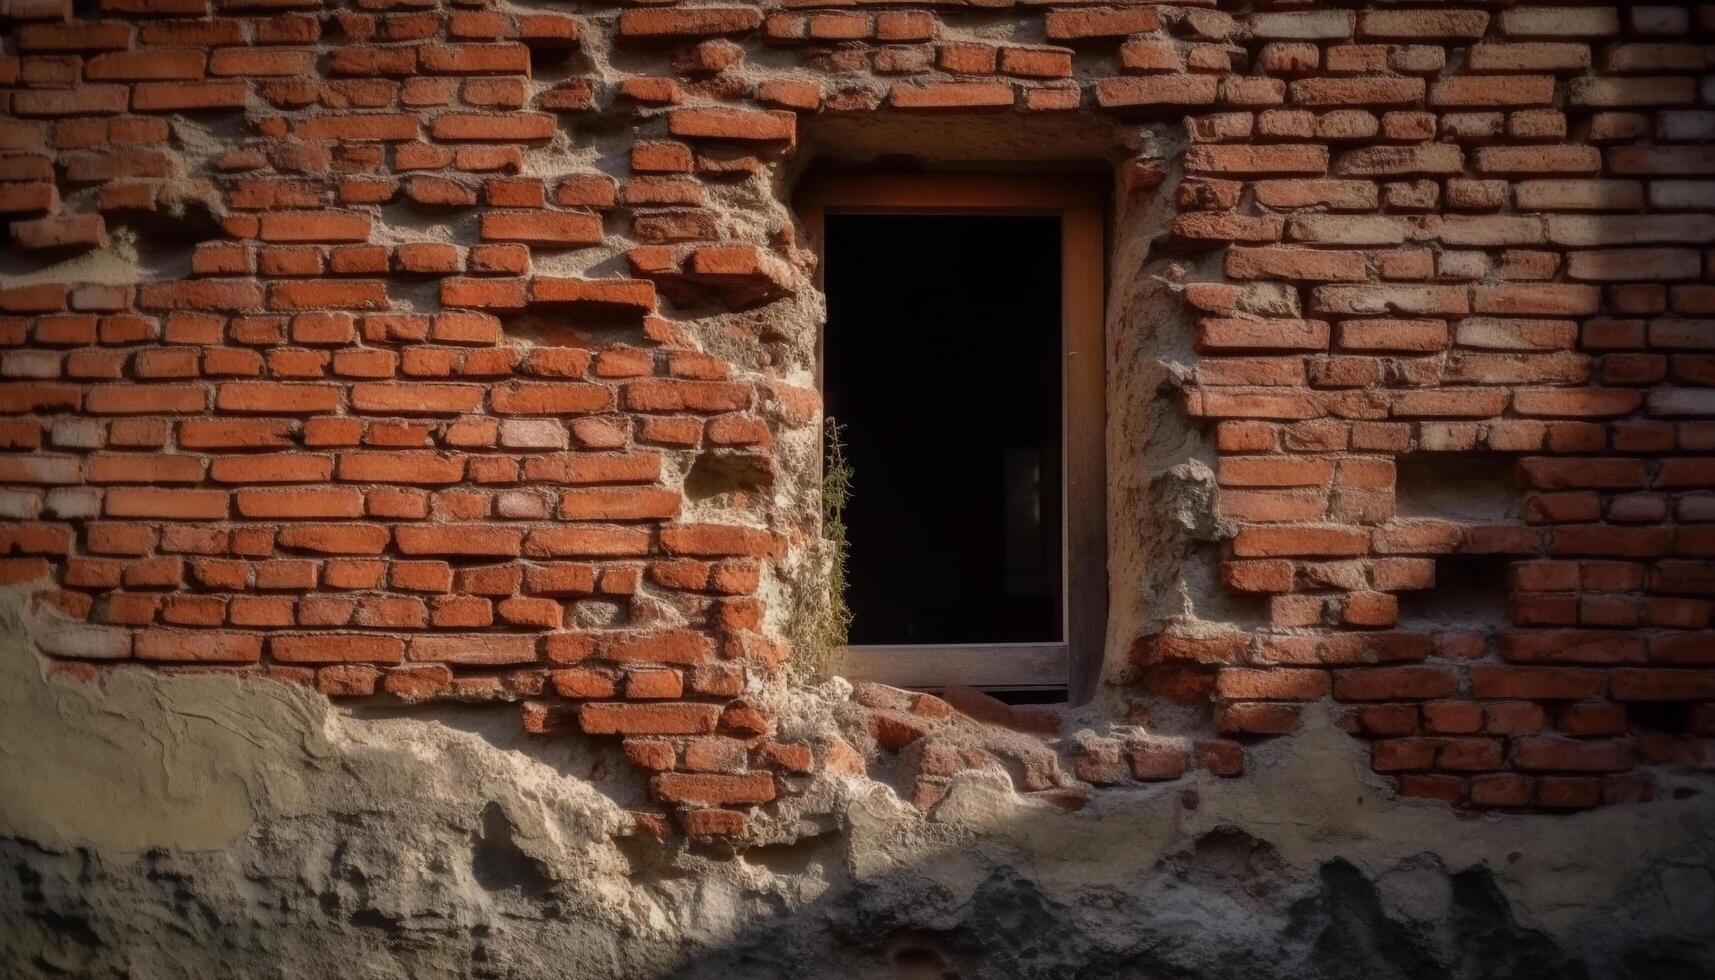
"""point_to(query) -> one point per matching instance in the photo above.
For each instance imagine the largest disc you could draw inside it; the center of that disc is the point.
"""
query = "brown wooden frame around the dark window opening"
(1074, 663)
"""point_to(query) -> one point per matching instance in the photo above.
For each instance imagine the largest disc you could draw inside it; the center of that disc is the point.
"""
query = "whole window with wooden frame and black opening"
(963, 361)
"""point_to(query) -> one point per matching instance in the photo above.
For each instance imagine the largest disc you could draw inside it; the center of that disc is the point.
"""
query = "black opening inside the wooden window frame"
(942, 365)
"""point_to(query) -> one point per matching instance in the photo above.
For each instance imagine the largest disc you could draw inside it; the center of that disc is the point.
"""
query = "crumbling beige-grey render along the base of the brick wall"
(203, 826)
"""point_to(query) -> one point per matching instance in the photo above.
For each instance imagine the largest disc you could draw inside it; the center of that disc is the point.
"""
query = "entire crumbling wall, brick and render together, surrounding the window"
(454, 360)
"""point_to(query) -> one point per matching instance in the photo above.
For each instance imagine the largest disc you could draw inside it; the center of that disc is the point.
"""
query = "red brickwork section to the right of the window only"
(1496, 258)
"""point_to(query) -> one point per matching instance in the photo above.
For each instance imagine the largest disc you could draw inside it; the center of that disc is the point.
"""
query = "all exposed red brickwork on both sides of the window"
(399, 330)
